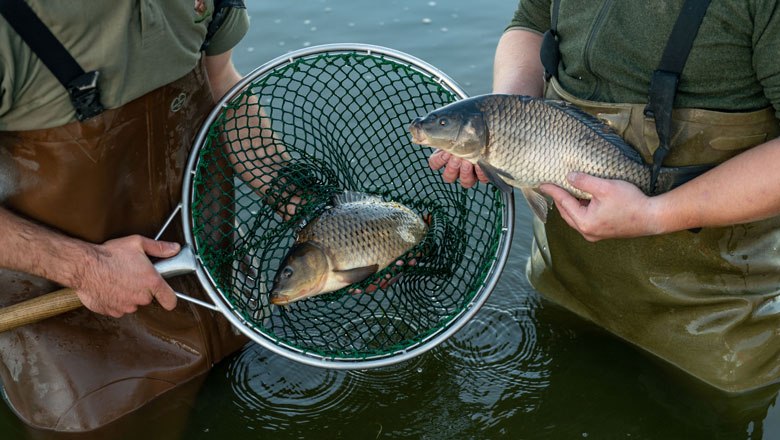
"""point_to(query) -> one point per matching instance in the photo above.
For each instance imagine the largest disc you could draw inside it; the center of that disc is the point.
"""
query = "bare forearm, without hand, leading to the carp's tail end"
(742, 189)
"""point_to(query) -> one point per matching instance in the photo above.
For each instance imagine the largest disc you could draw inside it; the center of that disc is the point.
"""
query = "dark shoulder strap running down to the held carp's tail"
(663, 84)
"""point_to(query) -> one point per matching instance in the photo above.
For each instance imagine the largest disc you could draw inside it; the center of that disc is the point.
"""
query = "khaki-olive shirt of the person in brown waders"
(137, 47)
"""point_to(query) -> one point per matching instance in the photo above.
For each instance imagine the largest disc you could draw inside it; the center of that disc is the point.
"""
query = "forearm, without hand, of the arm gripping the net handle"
(34, 249)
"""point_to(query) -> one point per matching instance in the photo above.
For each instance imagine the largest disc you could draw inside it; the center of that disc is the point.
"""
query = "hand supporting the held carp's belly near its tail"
(617, 208)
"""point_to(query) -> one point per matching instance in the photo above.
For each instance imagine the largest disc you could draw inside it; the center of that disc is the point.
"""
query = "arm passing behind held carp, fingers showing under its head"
(517, 70)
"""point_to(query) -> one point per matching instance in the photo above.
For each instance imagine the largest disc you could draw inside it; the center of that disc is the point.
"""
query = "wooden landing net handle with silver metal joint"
(64, 300)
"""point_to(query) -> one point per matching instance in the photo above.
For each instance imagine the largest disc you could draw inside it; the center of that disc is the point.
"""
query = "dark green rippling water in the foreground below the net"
(521, 368)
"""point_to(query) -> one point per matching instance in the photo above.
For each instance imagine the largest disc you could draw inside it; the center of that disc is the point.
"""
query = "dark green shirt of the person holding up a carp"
(609, 49)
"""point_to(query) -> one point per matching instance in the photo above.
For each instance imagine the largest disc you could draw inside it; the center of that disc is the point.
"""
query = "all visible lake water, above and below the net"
(520, 369)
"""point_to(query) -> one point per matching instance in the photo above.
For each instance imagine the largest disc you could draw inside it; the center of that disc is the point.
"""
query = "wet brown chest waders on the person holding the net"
(112, 173)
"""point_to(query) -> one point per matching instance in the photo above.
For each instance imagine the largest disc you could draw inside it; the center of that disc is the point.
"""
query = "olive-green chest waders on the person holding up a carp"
(705, 302)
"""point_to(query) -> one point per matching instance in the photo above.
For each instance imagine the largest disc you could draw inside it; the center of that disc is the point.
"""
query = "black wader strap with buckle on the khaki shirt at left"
(81, 86)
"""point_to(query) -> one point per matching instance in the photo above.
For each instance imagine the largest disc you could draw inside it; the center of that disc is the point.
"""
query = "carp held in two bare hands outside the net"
(523, 142)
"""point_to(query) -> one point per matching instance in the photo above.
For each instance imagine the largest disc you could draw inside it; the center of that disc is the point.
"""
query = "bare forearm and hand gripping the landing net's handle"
(112, 278)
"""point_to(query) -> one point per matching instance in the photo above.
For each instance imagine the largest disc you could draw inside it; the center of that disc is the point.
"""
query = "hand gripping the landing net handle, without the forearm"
(122, 277)
